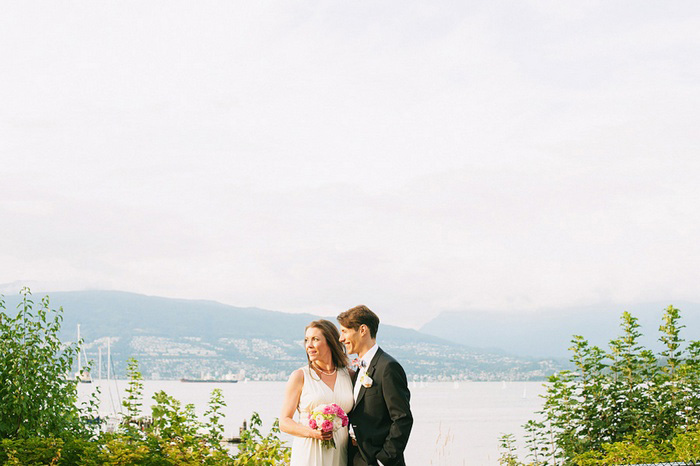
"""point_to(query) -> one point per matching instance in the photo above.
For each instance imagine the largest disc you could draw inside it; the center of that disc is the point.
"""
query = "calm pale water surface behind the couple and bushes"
(454, 424)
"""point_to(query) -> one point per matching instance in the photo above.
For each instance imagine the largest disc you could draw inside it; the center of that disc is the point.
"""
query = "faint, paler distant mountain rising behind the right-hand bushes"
(548, 333)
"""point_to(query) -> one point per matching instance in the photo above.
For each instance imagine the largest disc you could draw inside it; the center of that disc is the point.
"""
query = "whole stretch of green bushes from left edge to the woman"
(41, 423)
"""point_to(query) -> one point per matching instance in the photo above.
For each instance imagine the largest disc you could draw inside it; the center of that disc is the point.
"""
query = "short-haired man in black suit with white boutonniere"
(381, 419)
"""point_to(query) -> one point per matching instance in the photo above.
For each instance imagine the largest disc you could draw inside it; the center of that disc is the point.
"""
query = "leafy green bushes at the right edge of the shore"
(623, 405)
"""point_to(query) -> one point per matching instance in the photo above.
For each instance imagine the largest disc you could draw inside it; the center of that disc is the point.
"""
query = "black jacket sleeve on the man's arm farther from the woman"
(397, 399)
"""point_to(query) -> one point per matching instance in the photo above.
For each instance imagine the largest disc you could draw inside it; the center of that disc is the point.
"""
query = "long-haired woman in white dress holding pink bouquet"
(324, 380)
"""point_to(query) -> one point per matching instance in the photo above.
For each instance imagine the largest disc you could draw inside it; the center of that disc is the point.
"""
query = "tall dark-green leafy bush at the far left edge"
(38, 394)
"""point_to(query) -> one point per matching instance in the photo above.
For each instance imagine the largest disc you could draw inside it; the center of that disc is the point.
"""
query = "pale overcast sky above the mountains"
(414, 156)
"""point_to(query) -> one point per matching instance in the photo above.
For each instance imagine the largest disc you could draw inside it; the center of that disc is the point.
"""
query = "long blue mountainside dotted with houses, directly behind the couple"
(173, 338)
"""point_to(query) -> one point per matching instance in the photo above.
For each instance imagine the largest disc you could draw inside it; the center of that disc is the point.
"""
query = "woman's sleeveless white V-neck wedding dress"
(307, 451)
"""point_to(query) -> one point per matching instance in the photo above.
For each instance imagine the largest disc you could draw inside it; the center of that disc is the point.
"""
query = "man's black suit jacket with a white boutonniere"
(381, 417)
